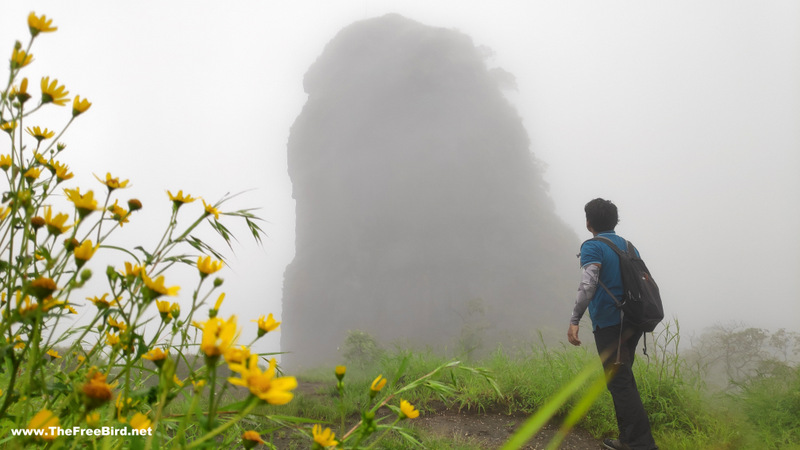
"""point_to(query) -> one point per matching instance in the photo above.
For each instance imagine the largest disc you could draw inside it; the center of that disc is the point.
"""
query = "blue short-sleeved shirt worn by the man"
(602, 308)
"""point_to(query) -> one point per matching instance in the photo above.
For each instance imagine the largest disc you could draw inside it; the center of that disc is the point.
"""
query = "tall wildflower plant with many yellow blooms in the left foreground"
(118, 367)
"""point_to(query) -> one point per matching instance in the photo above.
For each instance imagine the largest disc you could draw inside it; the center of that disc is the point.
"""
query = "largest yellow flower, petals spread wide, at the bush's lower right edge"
(264, 385)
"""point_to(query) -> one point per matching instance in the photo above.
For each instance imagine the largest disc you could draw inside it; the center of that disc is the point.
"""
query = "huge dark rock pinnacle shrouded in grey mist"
(422, 215)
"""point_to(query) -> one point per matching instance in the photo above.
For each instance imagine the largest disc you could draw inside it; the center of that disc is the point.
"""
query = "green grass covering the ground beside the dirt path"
(764, 413)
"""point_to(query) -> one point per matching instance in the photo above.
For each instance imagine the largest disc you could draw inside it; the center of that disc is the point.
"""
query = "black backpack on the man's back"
(641, 301)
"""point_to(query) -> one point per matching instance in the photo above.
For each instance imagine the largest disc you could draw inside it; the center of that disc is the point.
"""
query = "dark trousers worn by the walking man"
(634, 427)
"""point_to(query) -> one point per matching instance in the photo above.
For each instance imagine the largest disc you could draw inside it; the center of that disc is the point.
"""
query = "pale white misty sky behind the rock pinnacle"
(686, 114)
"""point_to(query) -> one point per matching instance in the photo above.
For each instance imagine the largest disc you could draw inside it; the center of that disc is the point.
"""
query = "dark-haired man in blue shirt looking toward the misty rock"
(600, 263)
